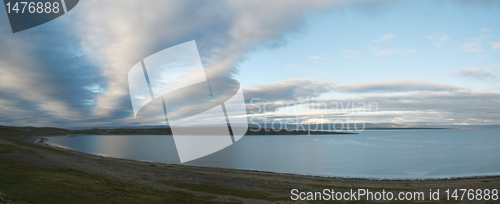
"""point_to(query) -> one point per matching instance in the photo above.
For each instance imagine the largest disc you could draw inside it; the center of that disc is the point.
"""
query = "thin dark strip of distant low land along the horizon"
(253, 129)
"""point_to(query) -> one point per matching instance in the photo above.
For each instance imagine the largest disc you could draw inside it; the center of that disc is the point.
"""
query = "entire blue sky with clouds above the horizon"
(406, 62)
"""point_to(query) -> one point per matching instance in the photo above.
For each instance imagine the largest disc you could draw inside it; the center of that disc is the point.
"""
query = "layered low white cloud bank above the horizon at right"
(411, 102)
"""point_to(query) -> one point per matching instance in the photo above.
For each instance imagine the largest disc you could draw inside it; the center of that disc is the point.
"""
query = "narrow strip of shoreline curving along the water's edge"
(458, 178)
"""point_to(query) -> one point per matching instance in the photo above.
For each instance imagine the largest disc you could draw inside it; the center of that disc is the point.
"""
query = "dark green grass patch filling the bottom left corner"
(43, 184)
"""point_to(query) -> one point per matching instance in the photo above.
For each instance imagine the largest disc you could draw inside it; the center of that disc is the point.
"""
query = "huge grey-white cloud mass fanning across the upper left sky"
(73, 70)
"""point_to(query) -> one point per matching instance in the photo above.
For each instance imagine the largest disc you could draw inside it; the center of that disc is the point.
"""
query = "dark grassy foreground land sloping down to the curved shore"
(35, 173)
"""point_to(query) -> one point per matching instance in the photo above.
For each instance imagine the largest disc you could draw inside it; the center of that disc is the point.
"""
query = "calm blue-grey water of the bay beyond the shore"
(374, 154)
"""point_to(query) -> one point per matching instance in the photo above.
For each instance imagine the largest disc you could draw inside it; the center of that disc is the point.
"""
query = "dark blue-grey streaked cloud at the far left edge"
(44, 77)
